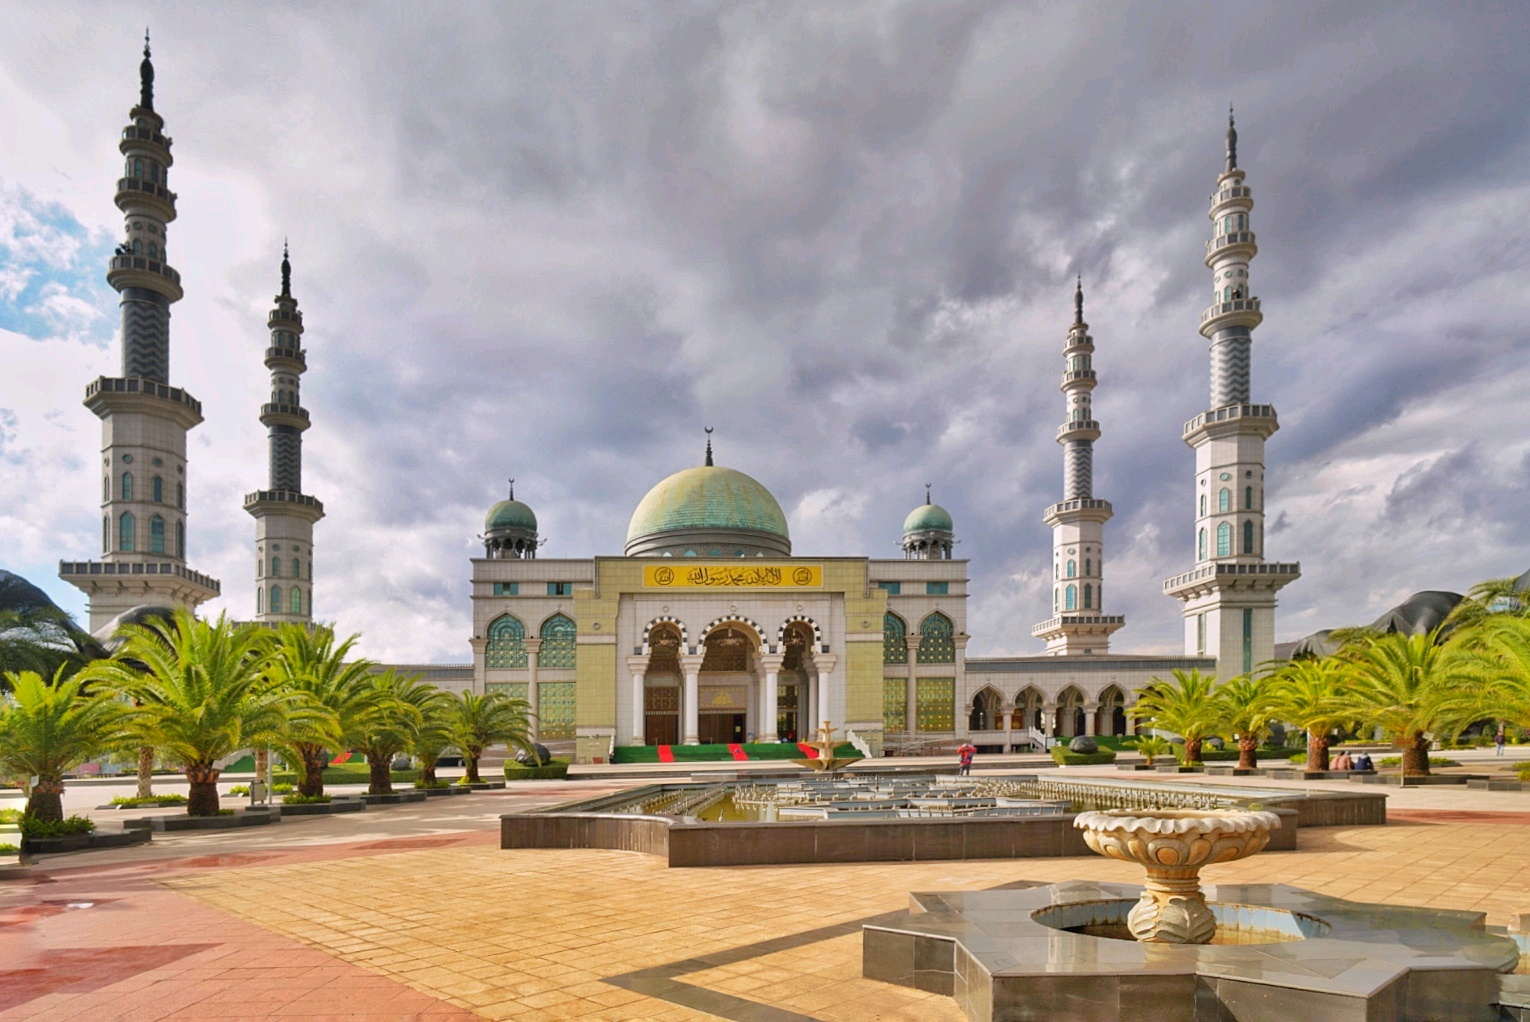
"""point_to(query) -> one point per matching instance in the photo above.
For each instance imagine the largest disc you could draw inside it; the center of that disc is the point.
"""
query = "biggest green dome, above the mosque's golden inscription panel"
(709, 507)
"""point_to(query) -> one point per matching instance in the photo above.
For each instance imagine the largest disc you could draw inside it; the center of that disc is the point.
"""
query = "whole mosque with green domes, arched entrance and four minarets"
(709, 628)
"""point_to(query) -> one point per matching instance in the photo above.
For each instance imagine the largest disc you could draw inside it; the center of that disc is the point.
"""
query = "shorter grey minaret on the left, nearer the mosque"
(284, 515)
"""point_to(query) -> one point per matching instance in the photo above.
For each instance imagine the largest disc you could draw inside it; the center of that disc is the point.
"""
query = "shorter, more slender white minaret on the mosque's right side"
(1078, 623)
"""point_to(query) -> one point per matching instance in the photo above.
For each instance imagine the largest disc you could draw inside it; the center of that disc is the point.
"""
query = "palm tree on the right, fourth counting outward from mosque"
(1411, 688)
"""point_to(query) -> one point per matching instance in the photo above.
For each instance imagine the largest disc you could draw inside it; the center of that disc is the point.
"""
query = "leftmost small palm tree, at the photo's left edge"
(48, 729)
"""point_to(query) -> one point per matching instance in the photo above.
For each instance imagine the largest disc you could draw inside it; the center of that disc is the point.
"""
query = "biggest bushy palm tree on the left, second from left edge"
(203, 695)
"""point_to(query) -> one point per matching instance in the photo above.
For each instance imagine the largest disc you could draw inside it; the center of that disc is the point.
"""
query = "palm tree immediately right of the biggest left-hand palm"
(313, 663)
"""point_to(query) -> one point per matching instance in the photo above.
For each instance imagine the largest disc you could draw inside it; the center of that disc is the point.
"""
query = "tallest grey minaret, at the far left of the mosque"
(145, 420)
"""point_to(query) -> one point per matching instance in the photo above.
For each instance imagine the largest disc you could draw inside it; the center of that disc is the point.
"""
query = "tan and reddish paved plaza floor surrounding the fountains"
(417, 914)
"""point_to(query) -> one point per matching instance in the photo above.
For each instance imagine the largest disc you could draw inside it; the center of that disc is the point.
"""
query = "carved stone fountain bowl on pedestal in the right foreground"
(1173, 847)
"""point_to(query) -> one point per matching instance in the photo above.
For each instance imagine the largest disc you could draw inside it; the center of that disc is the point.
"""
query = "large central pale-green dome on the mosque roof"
(708, 498)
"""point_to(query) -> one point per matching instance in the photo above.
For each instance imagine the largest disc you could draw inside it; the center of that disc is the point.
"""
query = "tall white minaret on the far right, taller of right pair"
(1229, 596)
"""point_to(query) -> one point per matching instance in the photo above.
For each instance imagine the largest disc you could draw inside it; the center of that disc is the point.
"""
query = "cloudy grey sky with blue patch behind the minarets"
(553, 241)
